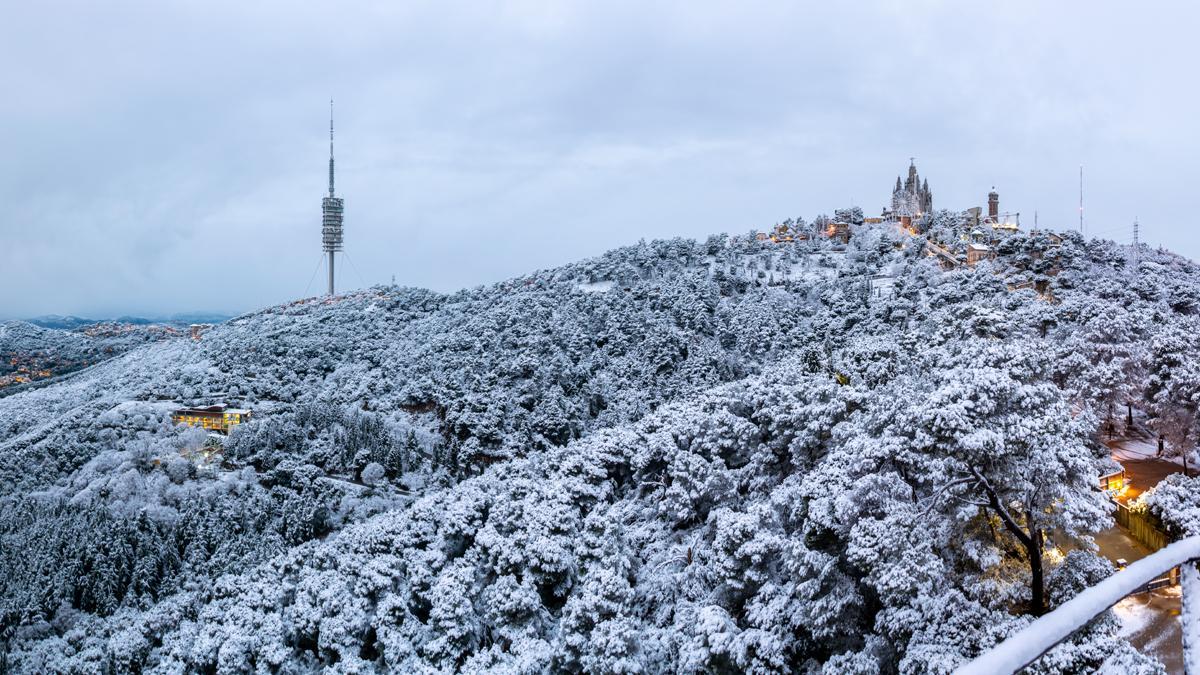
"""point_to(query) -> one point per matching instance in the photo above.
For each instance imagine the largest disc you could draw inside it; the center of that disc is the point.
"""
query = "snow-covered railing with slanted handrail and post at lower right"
(1046, 632)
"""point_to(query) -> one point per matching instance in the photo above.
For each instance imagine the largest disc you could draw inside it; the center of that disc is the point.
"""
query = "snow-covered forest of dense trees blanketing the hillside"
(681, 457)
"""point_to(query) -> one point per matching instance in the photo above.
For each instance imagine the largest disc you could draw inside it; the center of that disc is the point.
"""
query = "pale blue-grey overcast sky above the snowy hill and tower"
(161, 158)
